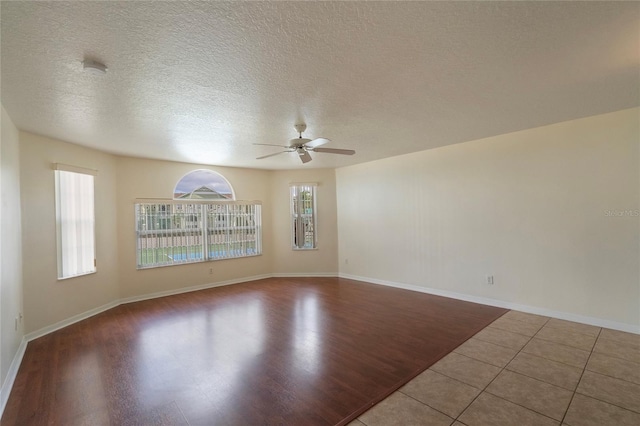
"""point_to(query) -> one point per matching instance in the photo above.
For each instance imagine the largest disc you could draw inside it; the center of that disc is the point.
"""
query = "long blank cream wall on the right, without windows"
(527, 207)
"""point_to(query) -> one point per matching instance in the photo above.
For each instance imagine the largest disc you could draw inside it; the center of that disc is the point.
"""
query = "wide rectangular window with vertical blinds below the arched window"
(176, 232)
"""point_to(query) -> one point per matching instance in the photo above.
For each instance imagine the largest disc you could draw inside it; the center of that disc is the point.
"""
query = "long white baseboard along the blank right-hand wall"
(598, 322)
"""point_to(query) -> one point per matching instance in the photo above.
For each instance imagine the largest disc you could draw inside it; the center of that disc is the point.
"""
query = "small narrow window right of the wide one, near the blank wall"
(303, 216)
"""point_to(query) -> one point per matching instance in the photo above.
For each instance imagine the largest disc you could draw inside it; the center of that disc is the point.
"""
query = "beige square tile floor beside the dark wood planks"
(524, 369)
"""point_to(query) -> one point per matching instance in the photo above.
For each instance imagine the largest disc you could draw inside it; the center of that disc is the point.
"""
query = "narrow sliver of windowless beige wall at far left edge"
(10, 248)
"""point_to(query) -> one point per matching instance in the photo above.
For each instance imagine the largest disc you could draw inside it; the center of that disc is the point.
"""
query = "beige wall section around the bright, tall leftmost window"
(48, 300)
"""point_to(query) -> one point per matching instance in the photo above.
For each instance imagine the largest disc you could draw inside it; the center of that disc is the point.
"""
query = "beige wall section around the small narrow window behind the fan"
(324, 260)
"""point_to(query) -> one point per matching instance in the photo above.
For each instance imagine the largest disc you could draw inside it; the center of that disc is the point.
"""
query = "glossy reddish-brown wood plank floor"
(312, 351)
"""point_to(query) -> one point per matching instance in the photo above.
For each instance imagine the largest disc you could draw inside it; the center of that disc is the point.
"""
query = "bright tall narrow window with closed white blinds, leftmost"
(75, 221)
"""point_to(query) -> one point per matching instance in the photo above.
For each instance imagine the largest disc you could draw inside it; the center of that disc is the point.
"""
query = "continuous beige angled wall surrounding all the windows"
(122, 180)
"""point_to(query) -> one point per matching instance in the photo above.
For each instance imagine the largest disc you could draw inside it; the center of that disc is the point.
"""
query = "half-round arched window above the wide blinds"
(203, 185)
